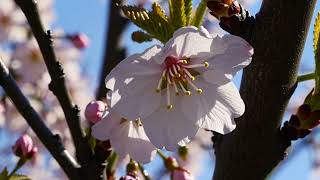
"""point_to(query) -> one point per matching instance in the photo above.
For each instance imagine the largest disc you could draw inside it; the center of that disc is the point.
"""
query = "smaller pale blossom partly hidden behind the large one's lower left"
(126, 137)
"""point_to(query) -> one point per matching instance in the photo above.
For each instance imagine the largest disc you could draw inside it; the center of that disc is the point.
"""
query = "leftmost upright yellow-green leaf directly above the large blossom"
(178, 16)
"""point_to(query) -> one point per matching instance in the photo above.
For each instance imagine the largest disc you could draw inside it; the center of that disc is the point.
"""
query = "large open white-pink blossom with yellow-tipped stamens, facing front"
(181, 87)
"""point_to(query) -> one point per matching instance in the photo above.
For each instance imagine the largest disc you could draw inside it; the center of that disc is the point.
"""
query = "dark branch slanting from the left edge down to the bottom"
(51, 142)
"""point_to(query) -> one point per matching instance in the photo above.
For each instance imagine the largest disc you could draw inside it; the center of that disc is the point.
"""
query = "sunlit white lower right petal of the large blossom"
(216, 108)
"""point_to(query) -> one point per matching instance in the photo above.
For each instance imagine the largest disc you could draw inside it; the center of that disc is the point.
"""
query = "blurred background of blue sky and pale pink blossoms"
(83, 68)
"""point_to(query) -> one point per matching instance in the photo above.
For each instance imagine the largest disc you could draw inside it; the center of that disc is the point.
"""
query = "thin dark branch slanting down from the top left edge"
(57, 85)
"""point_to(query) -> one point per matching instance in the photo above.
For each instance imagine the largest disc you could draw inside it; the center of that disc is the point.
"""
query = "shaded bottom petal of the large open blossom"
(166, 128)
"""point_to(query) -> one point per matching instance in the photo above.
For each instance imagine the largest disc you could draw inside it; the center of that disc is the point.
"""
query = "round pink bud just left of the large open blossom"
(95, 111)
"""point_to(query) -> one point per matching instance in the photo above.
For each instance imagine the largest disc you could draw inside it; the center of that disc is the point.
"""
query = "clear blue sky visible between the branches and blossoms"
(90, 17)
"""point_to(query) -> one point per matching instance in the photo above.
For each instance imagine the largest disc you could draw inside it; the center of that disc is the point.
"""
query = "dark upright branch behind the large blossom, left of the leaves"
(114, 53)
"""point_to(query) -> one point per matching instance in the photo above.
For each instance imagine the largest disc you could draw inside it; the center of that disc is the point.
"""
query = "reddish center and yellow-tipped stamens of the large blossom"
(179, 74)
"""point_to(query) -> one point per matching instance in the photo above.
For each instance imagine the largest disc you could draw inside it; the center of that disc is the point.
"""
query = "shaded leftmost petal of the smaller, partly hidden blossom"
(102, 129)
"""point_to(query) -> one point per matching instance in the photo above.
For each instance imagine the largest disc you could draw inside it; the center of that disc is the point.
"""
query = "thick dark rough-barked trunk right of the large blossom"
(278, 37)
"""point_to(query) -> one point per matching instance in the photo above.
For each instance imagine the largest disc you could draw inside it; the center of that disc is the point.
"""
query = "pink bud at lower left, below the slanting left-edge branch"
(24, 147)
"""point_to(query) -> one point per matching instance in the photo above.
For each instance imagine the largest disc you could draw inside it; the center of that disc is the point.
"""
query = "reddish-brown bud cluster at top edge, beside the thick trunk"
(223, 8)
